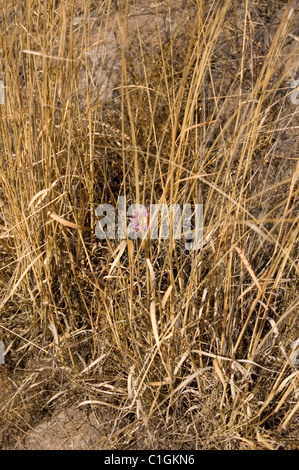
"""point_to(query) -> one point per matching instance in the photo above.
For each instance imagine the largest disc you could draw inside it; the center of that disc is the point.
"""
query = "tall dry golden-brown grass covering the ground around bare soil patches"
(175, 349)
